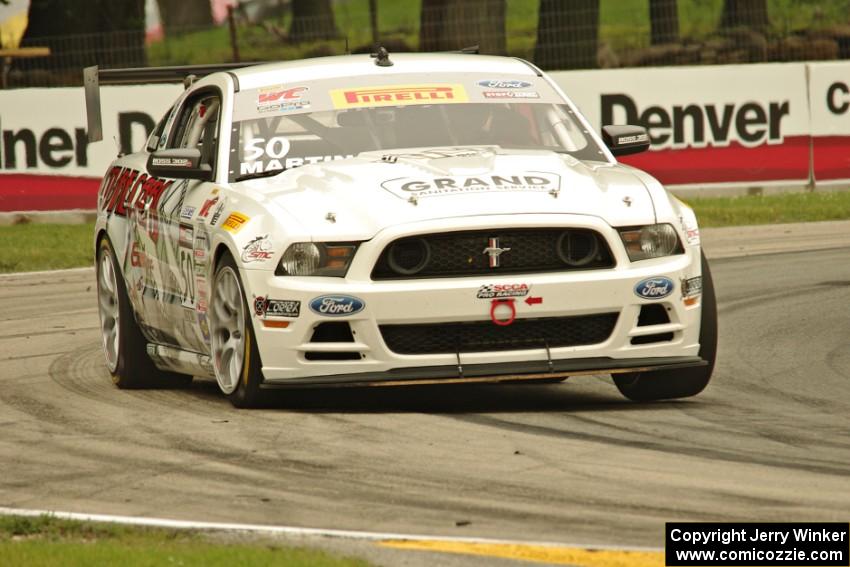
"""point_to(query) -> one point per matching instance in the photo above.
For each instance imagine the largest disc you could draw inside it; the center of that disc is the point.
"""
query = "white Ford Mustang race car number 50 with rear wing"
(420, 218)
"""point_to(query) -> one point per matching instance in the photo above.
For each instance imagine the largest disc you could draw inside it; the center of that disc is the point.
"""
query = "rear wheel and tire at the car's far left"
(124, 345)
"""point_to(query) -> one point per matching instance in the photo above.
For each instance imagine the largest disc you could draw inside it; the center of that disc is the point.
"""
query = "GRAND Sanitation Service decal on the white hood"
(523, 182)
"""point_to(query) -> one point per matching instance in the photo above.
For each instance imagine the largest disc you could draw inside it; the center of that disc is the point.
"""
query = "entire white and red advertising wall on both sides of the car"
(729, 125)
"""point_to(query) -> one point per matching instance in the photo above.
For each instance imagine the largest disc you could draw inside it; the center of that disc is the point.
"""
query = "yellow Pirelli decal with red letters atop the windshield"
(396, 95)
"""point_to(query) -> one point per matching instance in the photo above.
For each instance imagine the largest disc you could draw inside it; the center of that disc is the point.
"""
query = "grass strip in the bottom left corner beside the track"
(46, 541)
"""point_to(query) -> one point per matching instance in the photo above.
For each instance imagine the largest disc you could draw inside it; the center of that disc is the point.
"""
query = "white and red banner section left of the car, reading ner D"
(46, 163)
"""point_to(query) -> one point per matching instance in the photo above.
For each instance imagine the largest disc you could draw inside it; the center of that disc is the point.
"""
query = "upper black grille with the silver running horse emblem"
(456, 254)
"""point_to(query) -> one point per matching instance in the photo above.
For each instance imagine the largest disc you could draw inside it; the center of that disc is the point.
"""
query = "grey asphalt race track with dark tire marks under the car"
(769, 440)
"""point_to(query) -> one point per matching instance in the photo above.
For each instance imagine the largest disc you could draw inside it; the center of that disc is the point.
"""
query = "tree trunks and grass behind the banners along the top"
(554, 34)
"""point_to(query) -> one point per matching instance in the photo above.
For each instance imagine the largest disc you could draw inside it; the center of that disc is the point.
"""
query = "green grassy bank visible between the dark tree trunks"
(624, 25)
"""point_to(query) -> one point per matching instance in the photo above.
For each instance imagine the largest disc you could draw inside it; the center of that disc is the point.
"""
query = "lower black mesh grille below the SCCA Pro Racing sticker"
(484, 336)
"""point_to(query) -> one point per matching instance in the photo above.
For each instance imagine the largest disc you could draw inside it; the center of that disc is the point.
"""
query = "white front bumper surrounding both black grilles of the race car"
(290, 358)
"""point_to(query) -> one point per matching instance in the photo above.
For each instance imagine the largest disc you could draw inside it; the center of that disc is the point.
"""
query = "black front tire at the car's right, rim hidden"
(671, 384)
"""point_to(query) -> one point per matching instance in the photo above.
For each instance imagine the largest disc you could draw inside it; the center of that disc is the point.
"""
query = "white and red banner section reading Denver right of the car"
(726, 124)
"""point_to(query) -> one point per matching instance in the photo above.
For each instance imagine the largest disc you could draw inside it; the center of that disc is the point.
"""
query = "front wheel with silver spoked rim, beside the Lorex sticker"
(235, 356)
